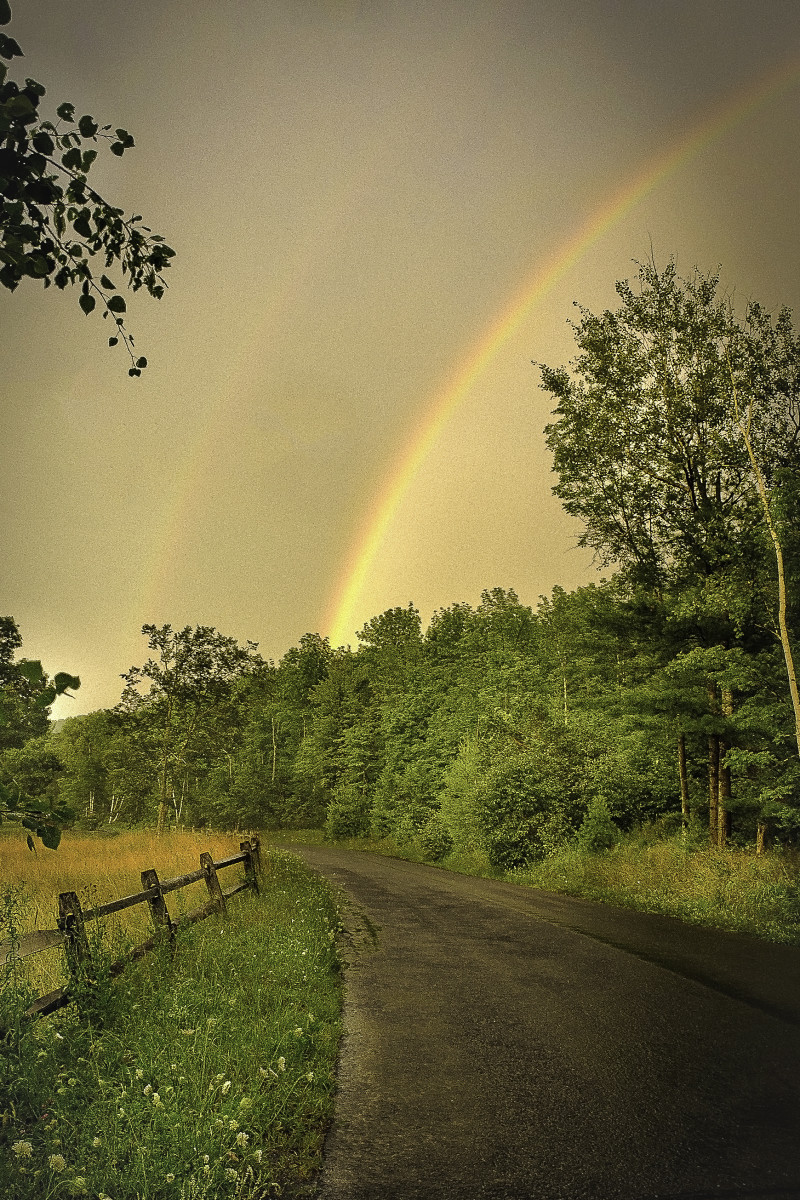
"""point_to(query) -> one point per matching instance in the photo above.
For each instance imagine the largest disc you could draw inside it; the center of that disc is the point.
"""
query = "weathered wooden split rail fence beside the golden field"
(71, 933)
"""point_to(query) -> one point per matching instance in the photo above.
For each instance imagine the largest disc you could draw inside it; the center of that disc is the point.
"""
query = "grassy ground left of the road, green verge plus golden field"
(203, 1075)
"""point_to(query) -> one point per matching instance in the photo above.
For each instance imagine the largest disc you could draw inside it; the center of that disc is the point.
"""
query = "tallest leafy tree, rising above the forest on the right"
(651, 451)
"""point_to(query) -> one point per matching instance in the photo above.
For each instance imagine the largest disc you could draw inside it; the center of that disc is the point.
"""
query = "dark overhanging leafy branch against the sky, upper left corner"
(53, 224)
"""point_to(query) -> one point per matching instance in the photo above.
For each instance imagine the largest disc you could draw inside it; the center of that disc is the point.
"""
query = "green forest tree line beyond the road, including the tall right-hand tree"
(665, 692)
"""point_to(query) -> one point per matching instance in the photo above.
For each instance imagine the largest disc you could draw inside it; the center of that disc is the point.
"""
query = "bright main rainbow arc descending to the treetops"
(714, 124)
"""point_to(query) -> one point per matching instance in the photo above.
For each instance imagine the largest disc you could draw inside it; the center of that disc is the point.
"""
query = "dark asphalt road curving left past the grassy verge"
(510, 1045)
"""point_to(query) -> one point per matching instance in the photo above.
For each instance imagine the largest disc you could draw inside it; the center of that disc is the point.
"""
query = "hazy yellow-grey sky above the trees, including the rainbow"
(383, 213)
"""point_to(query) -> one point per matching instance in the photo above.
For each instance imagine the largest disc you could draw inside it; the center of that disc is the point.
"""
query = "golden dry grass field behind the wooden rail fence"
(103, 868)
